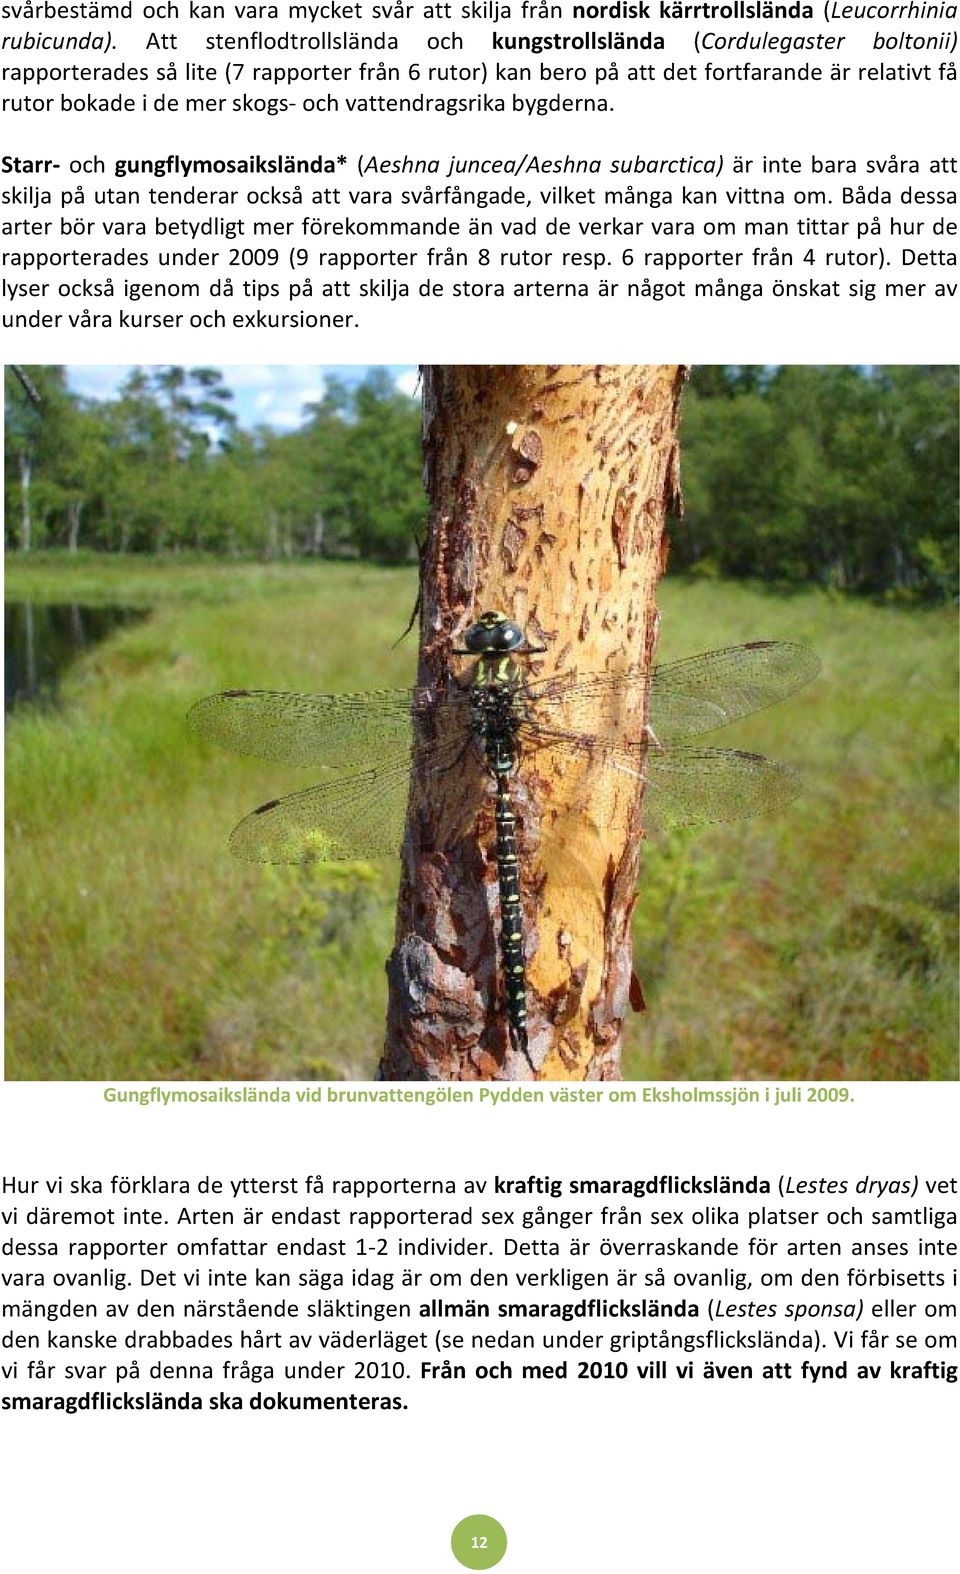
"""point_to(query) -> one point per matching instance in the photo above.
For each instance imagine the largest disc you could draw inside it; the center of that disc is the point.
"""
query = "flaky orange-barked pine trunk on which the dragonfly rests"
(548, 489)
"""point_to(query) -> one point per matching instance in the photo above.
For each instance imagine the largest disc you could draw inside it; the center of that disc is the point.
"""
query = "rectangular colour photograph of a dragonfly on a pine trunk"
(520, 723)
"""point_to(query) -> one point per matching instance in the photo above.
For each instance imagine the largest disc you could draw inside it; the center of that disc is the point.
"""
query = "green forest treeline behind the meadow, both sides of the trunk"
(843, 476)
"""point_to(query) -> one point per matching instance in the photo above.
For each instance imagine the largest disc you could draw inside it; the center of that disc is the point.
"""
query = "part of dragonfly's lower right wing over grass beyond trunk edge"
(701, 786)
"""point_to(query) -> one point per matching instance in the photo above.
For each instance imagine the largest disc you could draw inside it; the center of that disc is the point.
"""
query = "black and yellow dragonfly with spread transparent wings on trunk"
(385, 755)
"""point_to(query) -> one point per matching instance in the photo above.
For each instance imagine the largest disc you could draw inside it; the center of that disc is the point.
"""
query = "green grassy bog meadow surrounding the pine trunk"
(819, 944)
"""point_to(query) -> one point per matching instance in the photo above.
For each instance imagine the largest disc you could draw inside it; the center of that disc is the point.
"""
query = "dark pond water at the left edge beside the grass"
(42, 641)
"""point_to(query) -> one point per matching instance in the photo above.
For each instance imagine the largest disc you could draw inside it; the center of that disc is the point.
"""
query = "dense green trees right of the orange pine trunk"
(841, 476)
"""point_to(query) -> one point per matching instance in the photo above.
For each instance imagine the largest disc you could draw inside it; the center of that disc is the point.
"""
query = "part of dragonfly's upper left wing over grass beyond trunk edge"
(306, 730)
